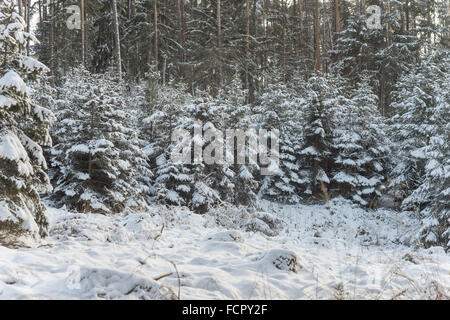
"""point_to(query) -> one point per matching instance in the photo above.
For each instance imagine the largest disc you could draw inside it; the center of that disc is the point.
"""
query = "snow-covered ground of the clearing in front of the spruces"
(313, 252)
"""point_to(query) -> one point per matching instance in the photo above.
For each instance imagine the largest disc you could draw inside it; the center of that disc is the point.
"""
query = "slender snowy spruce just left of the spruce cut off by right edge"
(411, 127)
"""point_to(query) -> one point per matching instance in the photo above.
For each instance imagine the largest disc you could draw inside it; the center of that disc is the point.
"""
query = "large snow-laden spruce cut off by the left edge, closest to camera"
(23, 130)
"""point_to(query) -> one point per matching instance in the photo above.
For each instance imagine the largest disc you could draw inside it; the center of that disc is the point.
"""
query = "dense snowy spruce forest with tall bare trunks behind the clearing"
(363, 112)
